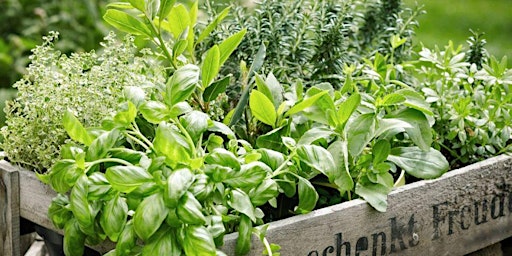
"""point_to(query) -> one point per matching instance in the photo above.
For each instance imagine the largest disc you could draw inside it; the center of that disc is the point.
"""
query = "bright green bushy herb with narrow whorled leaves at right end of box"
(471, 103)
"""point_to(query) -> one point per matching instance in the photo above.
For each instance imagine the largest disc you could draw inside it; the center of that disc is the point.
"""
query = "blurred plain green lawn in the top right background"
(452, 20)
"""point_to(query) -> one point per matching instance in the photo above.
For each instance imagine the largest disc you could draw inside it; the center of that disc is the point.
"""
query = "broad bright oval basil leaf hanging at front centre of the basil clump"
(149, 215)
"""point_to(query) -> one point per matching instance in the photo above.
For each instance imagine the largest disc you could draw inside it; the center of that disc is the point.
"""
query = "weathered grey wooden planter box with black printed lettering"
(461, 212)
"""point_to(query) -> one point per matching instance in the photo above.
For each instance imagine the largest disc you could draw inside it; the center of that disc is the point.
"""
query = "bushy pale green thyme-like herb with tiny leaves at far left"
(88, 84)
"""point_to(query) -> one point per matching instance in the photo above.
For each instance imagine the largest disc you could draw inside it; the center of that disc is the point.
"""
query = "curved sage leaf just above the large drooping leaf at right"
(420, 131)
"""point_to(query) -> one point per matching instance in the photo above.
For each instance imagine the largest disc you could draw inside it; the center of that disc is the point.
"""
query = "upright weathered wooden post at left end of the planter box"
(9, 212)
